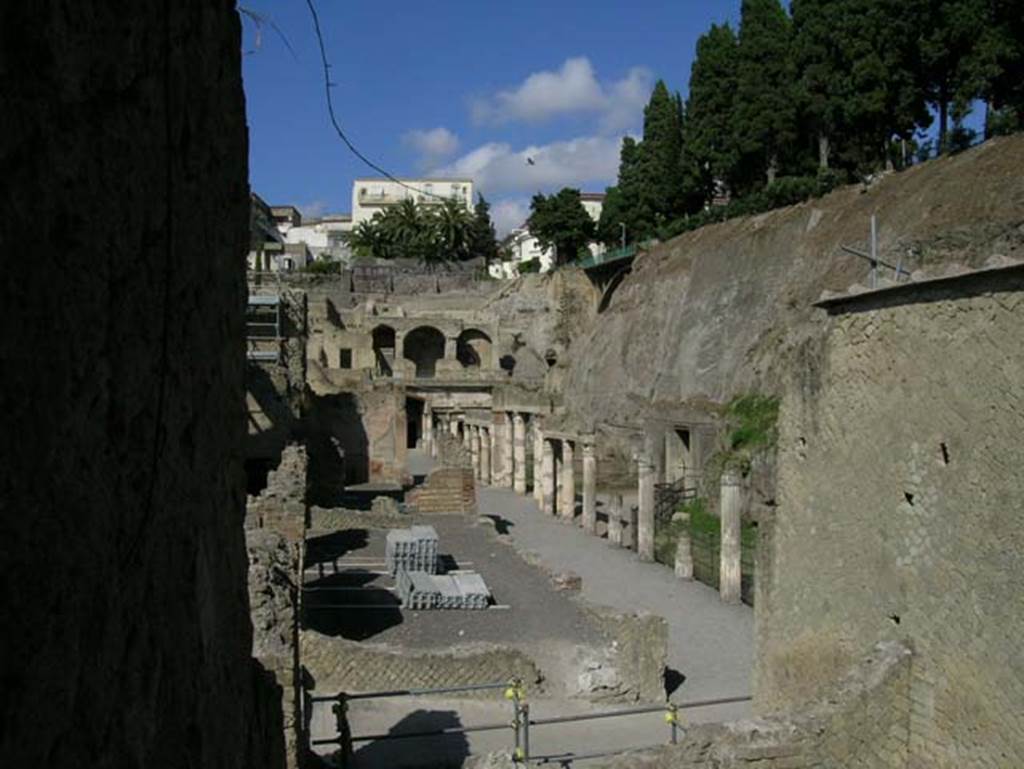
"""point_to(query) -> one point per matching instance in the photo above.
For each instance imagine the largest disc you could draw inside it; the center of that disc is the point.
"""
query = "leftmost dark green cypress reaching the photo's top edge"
(765, 119)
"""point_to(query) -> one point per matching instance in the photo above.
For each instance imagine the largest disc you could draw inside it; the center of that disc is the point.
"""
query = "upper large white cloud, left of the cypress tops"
(572, 90)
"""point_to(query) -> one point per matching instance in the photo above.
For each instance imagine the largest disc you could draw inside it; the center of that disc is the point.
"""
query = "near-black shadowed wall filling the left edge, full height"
(127, 640)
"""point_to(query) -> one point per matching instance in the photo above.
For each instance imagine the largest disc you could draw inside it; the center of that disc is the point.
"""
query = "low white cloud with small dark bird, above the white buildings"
(498, 169)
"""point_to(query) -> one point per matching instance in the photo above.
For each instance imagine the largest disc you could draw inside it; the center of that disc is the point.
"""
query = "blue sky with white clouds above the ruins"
(457, 88)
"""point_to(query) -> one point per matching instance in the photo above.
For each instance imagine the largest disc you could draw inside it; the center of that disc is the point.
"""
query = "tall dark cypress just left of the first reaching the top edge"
(709, 151)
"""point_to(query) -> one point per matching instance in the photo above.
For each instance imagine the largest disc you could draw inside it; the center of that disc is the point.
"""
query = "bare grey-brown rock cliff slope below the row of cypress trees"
(729, 308)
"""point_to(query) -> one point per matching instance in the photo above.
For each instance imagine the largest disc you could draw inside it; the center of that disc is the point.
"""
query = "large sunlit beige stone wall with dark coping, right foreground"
(900, 507)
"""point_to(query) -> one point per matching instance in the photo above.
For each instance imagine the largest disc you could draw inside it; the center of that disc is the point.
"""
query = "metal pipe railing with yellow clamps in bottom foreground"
(521, 725)
